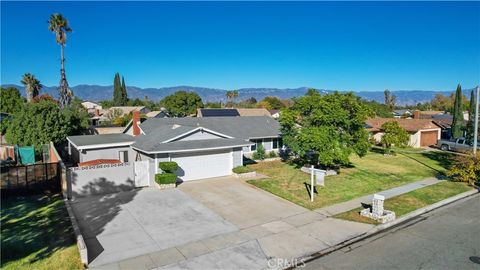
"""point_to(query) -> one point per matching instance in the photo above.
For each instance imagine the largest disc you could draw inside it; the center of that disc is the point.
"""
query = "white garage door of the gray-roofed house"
(199, 165)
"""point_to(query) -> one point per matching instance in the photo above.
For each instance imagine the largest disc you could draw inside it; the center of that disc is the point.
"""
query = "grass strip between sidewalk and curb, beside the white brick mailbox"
(411, 201)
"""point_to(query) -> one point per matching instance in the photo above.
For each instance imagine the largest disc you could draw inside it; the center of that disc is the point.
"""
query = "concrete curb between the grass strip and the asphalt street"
(383, 227)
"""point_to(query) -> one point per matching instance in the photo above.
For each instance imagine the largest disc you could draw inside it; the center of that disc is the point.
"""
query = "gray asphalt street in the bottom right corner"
(446, 238)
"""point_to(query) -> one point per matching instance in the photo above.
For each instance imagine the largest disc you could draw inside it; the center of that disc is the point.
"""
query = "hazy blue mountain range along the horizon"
(98, 92)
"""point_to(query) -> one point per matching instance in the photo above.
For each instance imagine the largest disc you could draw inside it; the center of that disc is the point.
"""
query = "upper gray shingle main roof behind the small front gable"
(247, 127)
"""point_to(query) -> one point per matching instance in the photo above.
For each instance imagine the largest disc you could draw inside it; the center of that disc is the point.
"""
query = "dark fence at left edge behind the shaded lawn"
(30, 179)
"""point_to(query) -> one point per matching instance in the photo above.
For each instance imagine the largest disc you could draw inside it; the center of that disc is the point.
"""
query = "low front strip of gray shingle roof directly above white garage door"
(145, 144)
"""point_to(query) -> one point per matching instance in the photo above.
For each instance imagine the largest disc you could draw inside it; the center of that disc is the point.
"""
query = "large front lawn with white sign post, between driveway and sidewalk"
(372, 173)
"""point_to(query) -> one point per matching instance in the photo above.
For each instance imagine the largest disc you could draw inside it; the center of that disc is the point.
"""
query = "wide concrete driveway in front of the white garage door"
(222, 223)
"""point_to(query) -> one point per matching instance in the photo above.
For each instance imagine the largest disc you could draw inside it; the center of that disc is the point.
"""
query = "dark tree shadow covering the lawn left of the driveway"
(34, 225)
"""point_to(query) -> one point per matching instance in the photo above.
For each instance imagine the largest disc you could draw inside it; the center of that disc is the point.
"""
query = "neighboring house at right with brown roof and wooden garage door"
(423, 132)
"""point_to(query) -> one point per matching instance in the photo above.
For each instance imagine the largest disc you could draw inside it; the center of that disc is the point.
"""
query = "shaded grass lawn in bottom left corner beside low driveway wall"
(36, 234)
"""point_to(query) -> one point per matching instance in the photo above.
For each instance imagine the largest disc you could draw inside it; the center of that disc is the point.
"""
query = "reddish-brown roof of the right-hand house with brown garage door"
(410, 125)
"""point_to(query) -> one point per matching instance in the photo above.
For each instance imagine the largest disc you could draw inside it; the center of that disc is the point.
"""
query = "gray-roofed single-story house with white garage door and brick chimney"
(202, 147)
